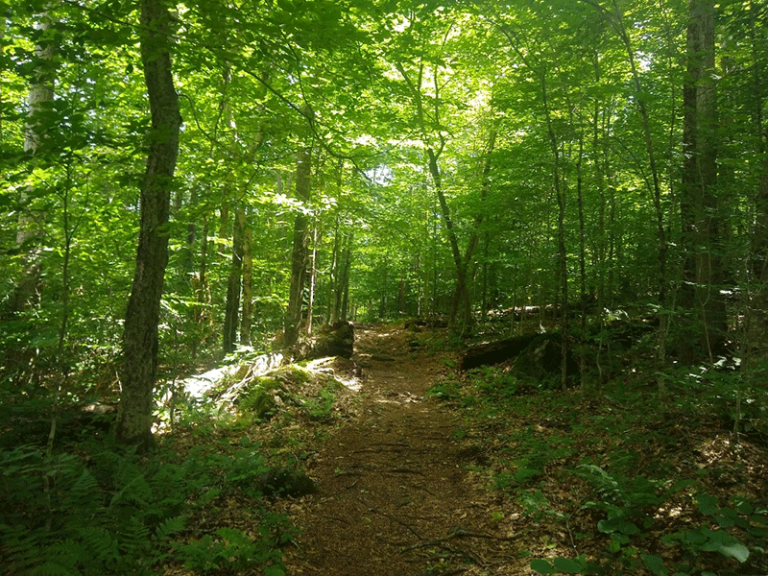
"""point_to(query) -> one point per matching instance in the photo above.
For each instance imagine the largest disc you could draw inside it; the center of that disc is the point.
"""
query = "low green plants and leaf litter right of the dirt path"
(633, 485)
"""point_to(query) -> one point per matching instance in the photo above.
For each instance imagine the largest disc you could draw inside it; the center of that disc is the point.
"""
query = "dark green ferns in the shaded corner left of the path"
(101, 511)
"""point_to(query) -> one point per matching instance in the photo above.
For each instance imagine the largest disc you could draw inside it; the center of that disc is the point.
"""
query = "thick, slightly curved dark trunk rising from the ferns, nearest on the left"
(140, 340)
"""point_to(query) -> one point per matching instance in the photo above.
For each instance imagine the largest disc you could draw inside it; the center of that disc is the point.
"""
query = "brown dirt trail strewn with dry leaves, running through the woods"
(395, 496)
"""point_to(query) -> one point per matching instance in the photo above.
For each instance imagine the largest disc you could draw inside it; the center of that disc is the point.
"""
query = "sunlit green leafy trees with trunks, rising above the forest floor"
(285, 164)
